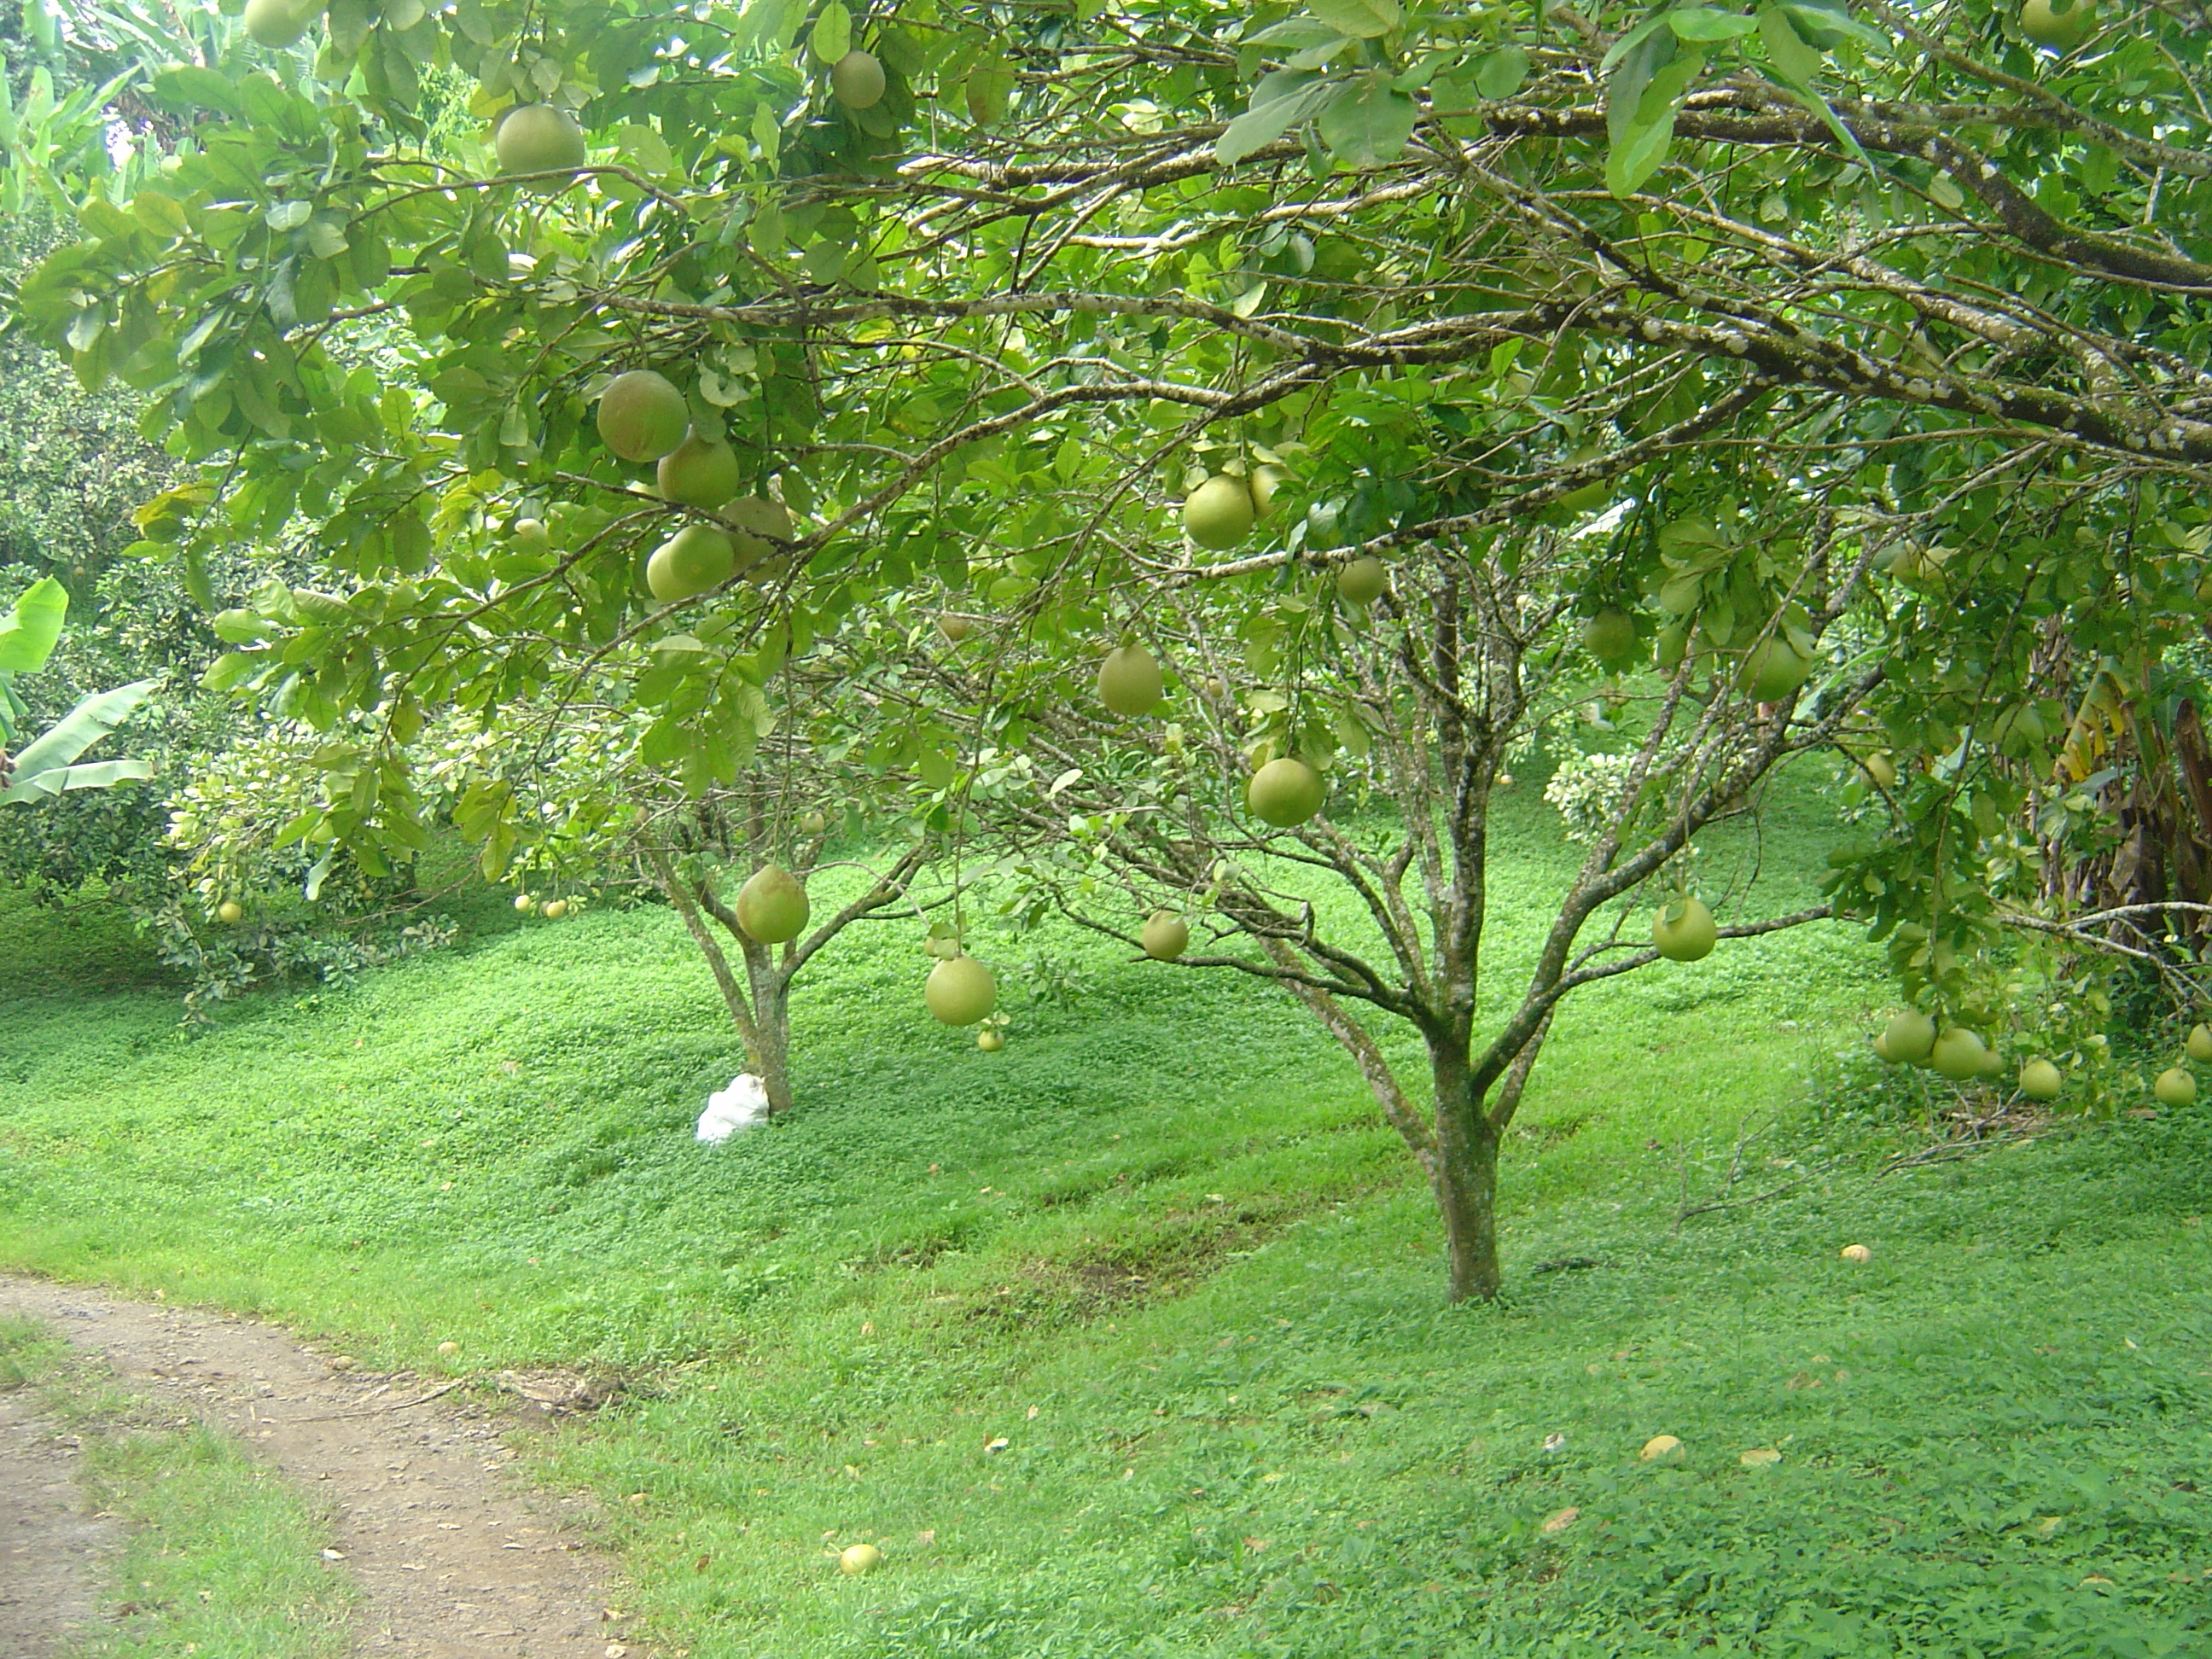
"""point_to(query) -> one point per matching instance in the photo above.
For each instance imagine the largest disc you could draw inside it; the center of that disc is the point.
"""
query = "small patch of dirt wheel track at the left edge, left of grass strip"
(48, 1543)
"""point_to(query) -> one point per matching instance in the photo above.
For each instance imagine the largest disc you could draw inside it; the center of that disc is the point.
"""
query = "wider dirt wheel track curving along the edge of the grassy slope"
(452, 1558)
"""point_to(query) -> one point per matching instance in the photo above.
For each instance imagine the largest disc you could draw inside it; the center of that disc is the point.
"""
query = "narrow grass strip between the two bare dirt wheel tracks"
(220, 1556)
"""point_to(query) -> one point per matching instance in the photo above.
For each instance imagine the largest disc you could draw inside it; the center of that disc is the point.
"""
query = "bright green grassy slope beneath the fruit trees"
(1131, 1339)
